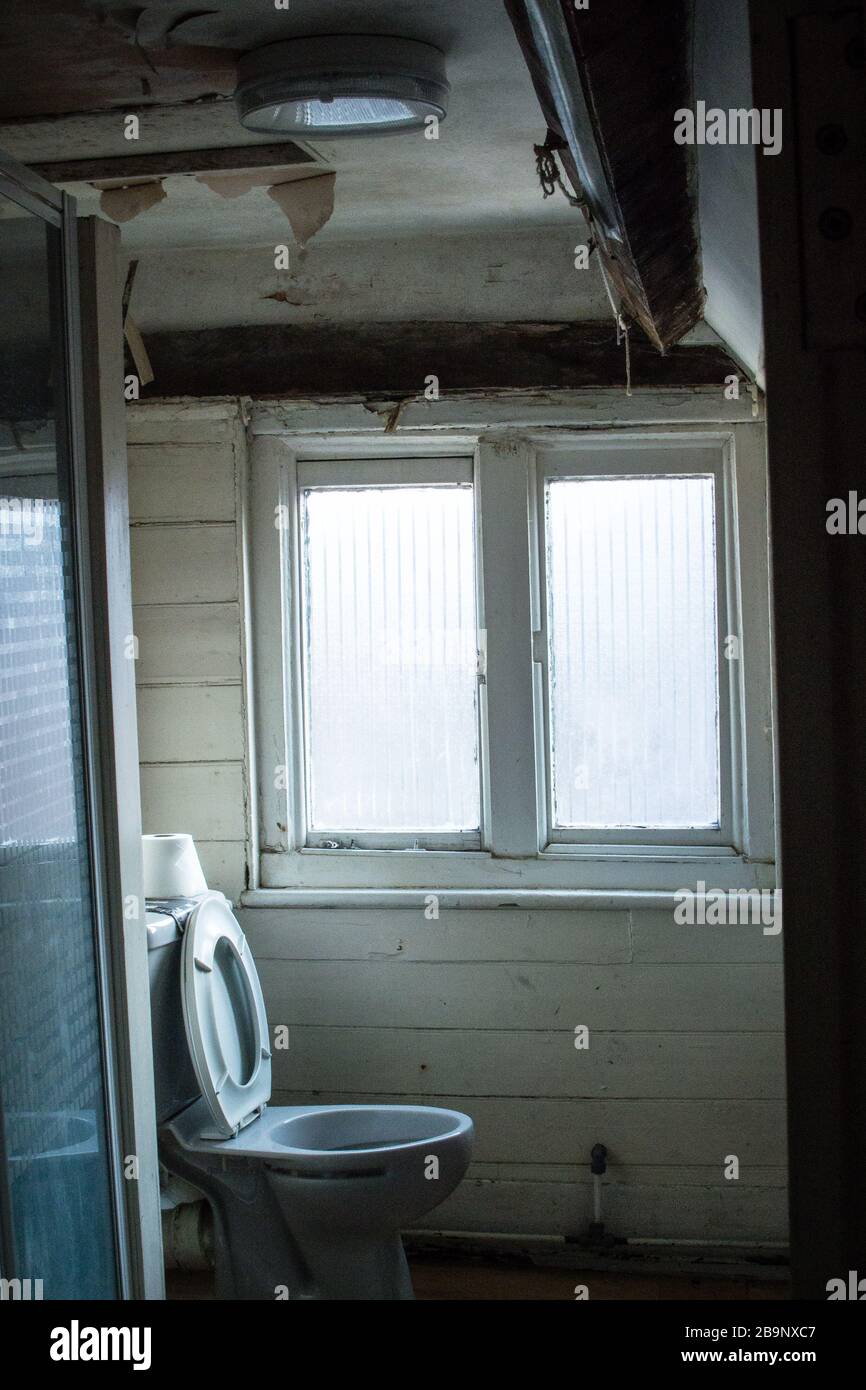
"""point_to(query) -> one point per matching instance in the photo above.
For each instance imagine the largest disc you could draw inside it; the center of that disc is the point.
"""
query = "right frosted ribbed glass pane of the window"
(633, 653)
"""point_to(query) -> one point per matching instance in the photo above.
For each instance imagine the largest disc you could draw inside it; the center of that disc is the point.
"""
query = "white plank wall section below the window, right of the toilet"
(477, 1011)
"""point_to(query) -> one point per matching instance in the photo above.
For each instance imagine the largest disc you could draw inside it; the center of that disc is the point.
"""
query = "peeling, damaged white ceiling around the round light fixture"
(382, 230)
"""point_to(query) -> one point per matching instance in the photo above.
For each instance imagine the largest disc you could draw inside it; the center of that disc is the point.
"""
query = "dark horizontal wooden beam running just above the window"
(395, 359)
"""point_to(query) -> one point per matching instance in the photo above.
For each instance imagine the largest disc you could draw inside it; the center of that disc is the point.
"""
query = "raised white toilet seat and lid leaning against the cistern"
(224, 1017)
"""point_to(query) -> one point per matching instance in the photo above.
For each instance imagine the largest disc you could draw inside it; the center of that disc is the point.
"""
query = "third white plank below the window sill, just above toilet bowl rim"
(466, 1063)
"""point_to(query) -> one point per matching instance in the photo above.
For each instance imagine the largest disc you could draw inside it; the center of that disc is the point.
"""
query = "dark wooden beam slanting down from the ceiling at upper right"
(610, 80)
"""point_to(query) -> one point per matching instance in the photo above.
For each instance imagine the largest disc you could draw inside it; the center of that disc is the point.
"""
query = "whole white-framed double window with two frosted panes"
(529, 667)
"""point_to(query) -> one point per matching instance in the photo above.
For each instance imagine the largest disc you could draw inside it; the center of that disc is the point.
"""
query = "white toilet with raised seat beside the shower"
(308, 1200)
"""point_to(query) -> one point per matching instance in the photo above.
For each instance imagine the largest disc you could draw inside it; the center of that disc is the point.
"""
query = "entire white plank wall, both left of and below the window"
(477, 1010)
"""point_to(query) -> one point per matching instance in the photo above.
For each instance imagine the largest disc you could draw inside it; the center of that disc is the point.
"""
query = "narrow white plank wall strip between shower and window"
(188, 590)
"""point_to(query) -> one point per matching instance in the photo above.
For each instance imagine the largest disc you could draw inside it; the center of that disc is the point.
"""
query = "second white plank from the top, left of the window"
(181, 483)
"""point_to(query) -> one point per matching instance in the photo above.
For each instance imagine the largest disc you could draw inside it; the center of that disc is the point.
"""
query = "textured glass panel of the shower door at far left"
(60, 1210)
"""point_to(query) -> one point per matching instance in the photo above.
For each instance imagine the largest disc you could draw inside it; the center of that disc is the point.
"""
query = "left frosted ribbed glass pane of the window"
(391, 660)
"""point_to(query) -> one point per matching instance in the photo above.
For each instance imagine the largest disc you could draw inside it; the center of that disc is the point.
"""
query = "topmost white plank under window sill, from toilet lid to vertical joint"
(493, 935)
